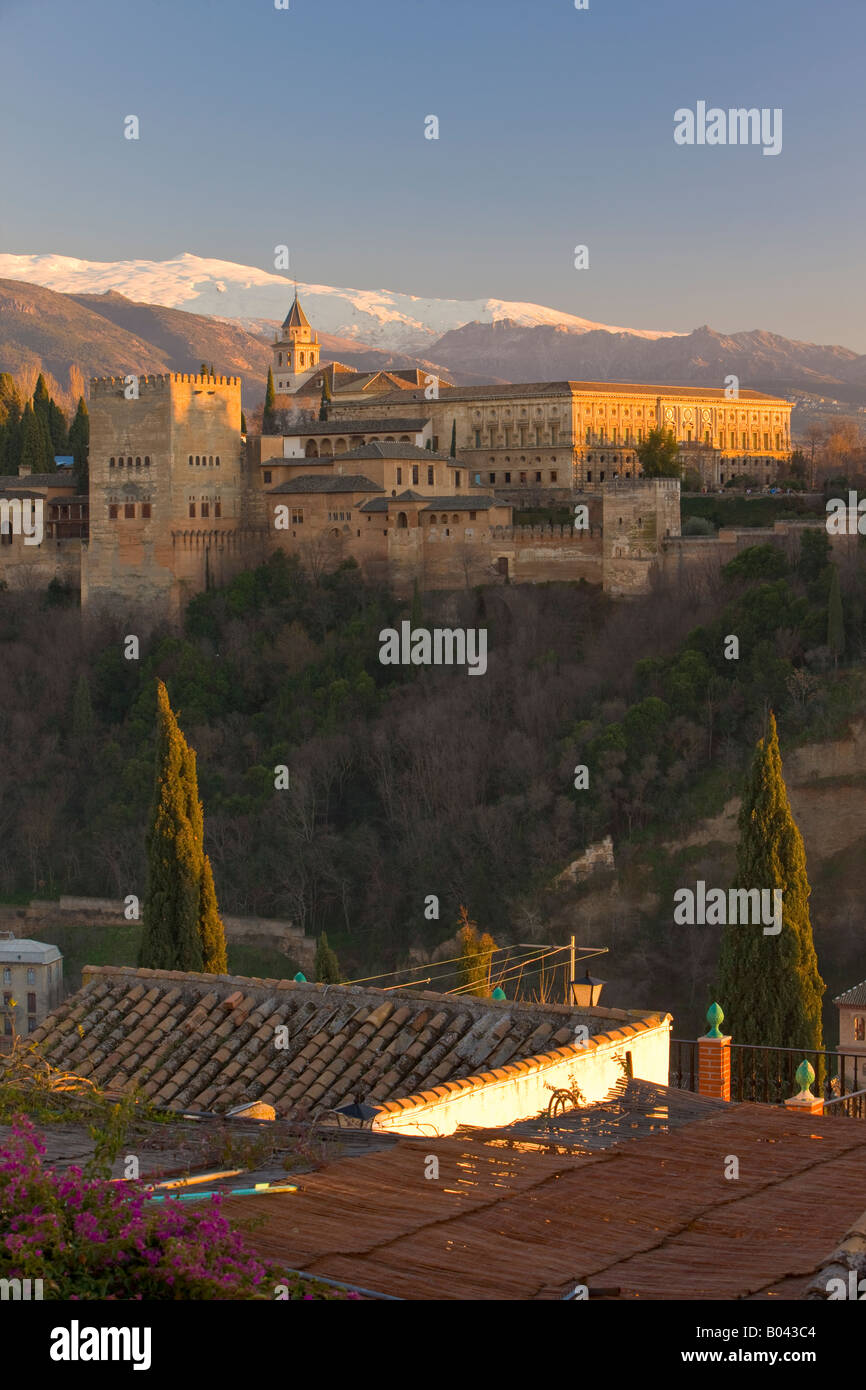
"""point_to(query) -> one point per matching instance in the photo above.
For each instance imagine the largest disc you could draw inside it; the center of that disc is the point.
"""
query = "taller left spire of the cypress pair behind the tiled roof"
(170, 939)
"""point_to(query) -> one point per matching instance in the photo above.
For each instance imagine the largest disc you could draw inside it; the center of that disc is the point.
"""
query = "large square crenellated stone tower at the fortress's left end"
(172, 511)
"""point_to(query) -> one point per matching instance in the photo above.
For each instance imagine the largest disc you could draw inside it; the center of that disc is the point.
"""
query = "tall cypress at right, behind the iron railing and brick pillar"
(769, 986)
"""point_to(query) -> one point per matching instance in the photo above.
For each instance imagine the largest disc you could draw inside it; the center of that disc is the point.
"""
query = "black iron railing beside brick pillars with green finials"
(767, 1075)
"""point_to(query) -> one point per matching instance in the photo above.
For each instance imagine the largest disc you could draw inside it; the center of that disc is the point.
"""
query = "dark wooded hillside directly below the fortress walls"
(411, 782)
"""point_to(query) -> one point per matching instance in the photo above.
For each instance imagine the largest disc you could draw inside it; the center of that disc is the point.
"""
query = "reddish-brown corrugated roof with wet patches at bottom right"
(655, 1218)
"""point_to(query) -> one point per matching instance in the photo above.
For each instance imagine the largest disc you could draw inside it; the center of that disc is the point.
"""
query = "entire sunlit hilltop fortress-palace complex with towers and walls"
(414, 477)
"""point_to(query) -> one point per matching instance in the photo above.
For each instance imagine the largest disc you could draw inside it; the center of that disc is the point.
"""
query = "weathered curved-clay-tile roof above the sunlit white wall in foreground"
(206, 1043)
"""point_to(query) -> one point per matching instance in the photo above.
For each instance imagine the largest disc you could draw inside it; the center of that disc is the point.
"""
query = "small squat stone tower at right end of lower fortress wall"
(639, 516)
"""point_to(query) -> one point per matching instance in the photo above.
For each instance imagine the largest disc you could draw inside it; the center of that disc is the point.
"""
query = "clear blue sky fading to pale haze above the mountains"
(307, 127)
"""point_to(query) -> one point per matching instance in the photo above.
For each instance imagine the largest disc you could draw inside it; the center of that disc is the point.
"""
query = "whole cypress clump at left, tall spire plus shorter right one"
(183, 926)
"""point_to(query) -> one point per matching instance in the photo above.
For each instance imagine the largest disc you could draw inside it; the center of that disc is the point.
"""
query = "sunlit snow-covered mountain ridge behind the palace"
(382, 318)
